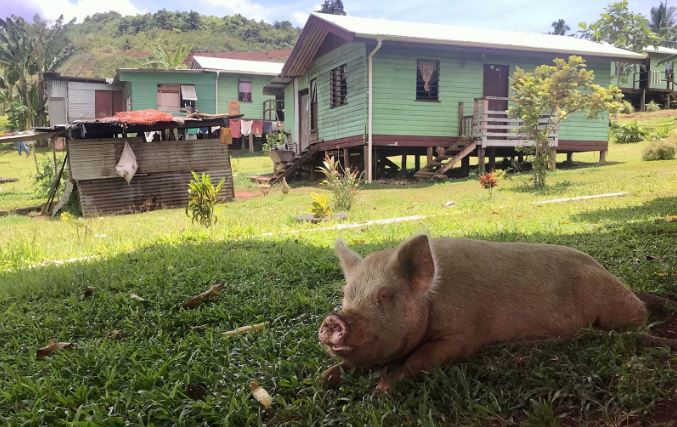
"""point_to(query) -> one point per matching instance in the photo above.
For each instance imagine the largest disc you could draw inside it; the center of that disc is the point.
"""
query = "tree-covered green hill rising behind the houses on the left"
(106, 41)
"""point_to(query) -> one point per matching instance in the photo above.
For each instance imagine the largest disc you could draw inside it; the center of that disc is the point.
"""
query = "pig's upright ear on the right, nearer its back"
(414, 262)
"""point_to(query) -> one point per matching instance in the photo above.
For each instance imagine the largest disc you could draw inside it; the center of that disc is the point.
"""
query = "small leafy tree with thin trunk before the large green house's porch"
(554, 92)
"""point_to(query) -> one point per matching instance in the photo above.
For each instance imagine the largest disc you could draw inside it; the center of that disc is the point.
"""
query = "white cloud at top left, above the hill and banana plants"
(52, 9)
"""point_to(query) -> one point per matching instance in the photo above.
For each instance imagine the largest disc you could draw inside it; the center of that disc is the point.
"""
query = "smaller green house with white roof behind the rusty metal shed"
(208, 86)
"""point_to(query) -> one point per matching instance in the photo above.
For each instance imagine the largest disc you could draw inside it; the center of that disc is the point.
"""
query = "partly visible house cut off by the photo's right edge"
(653, 79)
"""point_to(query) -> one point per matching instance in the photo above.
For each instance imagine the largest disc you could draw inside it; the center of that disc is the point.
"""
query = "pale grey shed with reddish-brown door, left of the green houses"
(78, 98)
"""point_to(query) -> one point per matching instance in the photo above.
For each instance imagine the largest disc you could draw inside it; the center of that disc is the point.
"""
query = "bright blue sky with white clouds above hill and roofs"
(517, 15)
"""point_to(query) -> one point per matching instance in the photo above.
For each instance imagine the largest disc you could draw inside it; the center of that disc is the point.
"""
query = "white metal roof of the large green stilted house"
(472, 36)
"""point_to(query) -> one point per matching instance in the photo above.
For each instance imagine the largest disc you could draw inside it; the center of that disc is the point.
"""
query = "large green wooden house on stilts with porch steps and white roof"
(369, 89)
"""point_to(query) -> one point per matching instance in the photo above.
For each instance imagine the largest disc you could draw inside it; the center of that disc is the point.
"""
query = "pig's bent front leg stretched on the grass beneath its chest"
(423, 358)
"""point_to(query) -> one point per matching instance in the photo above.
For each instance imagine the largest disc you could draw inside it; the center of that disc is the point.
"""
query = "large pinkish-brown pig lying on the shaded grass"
(431, 301)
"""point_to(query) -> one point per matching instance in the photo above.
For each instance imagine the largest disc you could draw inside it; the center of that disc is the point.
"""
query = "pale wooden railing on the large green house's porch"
(495, 128)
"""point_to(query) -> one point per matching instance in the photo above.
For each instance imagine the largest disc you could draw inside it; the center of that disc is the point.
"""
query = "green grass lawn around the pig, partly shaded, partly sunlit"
(278, 271)
